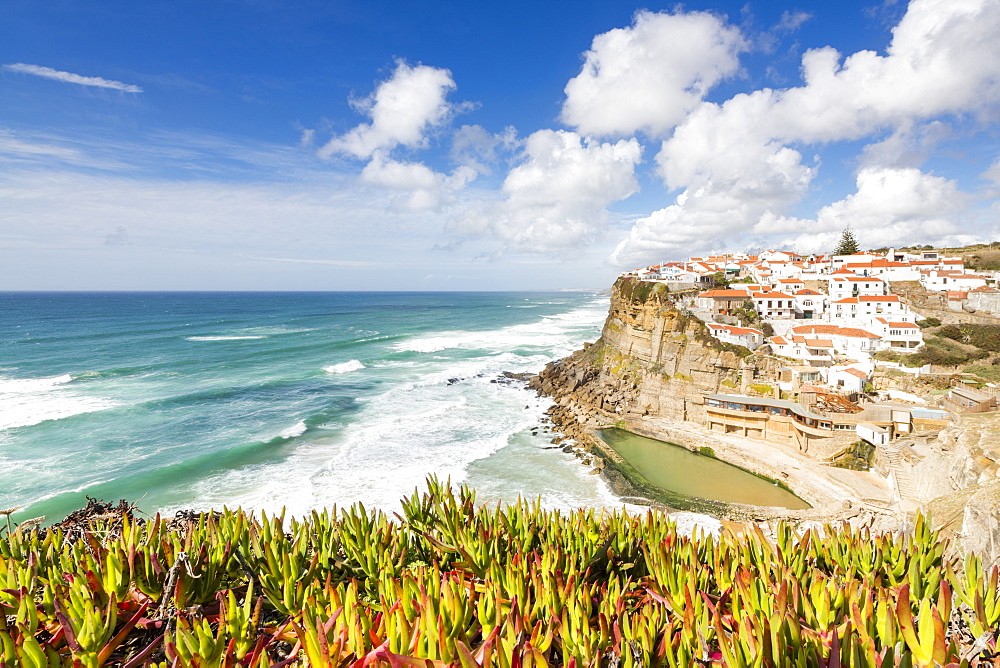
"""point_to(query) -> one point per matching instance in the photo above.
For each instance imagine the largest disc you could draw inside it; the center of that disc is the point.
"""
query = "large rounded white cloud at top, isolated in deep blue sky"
(648, 76)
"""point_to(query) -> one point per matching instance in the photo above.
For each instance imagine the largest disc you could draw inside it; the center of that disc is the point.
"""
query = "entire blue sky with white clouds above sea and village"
(443, 146)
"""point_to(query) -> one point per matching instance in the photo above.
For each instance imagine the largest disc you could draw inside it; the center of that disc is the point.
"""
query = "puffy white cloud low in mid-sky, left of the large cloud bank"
(556, 199)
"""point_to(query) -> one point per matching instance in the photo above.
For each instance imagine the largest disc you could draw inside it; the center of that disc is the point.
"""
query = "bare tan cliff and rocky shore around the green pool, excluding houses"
(648, 372)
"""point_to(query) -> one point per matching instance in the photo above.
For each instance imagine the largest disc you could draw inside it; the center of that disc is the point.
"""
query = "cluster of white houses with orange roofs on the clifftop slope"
(836, 322)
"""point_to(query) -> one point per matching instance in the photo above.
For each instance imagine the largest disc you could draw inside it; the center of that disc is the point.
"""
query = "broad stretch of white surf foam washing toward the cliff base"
(421, 422)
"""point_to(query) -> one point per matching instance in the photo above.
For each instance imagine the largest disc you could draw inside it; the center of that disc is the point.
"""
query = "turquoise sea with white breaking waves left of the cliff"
(264, 400)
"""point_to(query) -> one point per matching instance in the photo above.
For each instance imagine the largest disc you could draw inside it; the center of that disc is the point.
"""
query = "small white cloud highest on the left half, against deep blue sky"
(402, 110)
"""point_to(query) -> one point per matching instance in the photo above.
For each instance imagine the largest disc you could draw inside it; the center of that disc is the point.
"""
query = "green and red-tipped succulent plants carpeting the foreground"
(453, 584)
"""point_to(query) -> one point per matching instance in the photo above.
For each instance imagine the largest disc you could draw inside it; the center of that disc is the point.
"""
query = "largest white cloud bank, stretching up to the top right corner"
(742, 157)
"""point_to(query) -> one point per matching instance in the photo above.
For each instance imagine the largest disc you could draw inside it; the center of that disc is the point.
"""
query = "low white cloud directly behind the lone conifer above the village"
(892, 206)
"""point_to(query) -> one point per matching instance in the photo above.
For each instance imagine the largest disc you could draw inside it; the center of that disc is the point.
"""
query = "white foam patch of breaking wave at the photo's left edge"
(28, 401)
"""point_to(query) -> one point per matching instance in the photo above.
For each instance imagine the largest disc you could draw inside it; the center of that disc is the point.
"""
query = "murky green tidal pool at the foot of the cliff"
(688, 473)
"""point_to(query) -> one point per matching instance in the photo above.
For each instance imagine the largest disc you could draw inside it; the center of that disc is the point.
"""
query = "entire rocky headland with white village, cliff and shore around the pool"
(855, 379)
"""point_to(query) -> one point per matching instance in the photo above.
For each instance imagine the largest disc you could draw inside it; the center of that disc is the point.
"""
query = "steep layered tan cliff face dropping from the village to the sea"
(651, 360)
